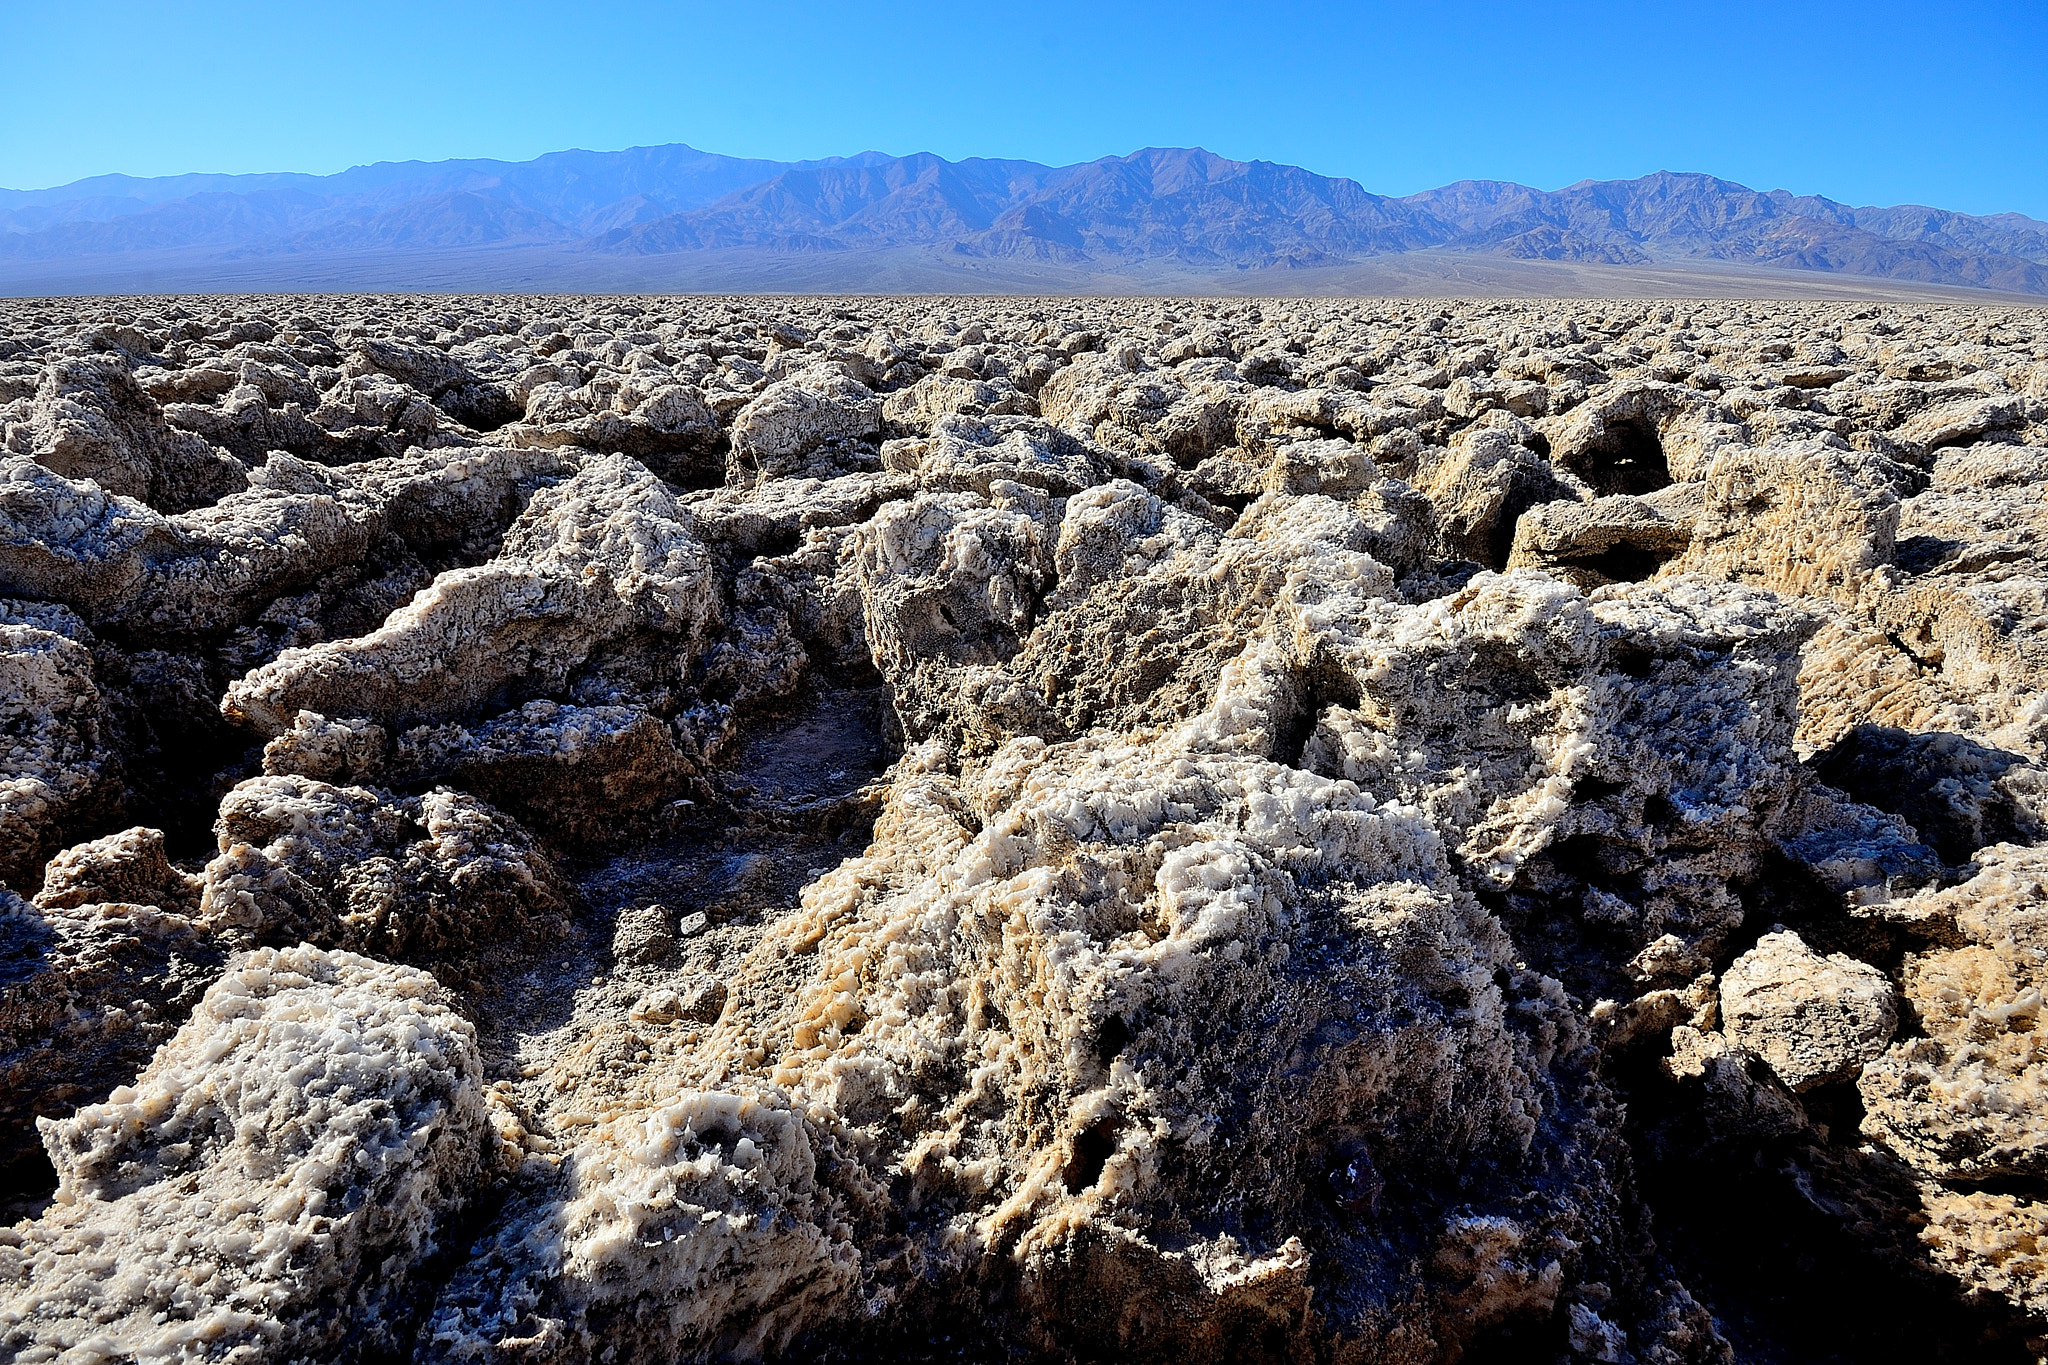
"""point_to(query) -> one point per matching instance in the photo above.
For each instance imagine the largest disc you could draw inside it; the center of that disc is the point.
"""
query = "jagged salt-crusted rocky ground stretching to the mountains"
(663, 830)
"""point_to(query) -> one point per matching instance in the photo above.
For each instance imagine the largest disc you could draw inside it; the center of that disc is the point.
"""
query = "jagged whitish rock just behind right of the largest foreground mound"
(1541, 730)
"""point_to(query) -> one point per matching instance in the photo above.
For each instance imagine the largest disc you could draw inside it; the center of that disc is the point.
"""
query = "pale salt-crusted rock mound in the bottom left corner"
(267, 1184)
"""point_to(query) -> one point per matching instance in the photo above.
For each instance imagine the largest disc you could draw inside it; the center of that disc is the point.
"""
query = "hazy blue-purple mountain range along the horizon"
(1181, 206)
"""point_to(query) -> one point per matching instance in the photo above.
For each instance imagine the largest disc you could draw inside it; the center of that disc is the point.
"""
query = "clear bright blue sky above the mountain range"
(1869, 103)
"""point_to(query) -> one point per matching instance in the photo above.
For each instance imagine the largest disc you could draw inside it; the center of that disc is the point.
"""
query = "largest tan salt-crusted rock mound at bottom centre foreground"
(1080, 1086)
